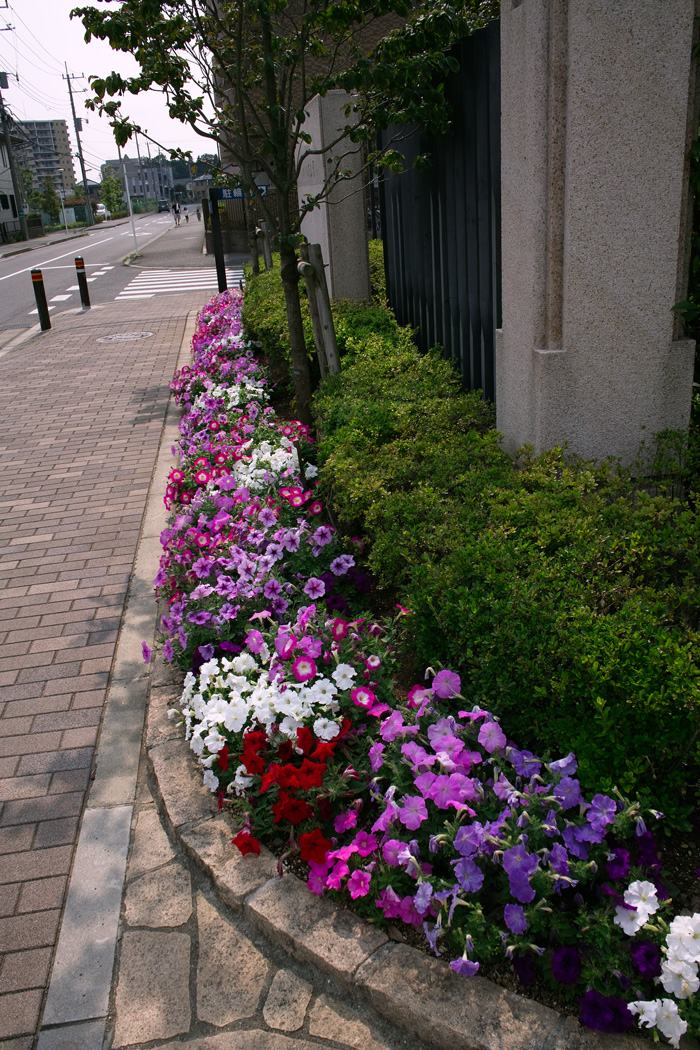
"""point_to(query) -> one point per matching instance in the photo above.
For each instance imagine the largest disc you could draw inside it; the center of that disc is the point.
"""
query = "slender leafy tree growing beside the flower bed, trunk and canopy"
(241, 73)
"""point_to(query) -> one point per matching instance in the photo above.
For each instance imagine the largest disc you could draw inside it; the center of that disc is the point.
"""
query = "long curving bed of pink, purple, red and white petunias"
(420, 810)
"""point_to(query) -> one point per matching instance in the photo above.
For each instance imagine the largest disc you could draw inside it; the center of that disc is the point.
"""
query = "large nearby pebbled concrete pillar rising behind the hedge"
(599, 110)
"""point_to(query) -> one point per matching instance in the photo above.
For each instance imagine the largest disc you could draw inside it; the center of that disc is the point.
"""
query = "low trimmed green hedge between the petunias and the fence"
(566, 594)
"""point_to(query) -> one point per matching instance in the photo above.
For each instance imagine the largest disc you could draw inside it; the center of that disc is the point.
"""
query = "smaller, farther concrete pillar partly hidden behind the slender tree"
(340, 224)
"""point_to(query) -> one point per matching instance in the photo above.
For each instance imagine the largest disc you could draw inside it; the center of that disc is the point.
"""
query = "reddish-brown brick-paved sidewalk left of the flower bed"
(81, 427)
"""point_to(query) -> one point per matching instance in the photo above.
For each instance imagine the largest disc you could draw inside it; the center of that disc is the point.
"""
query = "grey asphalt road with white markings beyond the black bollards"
(104, 250)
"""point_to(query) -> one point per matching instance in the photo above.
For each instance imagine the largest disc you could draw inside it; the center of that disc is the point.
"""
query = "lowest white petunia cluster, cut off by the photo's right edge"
(680, 977)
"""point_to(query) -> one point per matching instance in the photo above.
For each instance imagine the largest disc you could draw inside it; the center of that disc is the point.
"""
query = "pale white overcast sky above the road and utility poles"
(43, 40)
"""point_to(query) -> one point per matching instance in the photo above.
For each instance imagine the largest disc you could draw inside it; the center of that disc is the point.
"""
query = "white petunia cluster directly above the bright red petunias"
(239, 696)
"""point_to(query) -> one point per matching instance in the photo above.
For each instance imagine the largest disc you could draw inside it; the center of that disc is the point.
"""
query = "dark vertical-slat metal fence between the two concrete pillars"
(442, 227)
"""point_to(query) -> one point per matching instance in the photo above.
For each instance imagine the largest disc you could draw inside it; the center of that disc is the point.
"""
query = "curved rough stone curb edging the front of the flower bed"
(416, 993)
